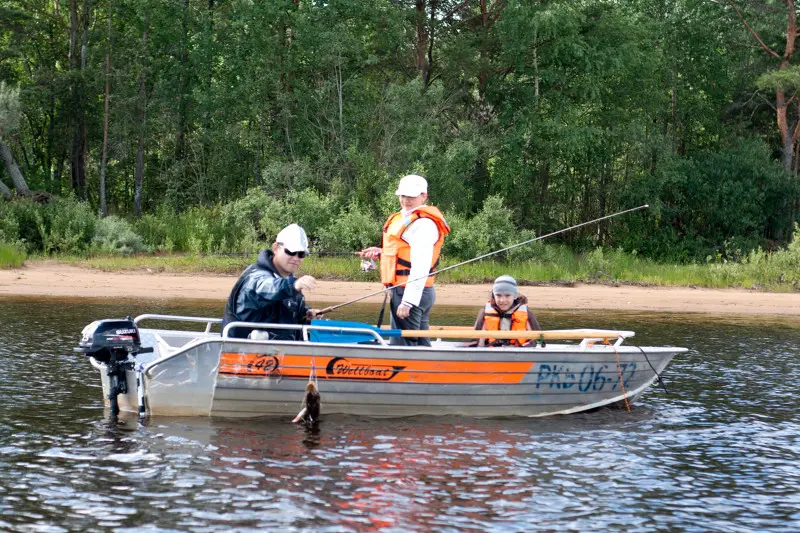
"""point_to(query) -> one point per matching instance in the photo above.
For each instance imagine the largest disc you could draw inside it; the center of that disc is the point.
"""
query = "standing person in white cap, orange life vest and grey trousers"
(412, 241)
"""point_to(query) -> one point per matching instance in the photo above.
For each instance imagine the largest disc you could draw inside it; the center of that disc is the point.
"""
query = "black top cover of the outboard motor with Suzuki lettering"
(103, 338)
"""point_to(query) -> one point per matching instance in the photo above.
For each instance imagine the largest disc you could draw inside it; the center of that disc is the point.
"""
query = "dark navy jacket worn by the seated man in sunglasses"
(262, 295)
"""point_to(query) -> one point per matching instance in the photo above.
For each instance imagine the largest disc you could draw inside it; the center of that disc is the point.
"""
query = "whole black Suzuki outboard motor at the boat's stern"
(113, 342)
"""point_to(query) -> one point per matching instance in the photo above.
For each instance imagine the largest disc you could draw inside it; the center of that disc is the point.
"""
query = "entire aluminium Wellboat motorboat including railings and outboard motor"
(202, 373)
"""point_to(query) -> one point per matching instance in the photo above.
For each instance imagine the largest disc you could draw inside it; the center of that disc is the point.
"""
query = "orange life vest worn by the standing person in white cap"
(396, 253)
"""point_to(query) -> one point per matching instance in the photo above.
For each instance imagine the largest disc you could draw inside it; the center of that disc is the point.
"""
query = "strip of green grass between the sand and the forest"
(759, 271)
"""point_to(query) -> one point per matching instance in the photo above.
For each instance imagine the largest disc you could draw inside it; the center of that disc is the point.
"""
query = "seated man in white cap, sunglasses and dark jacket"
(268, 291)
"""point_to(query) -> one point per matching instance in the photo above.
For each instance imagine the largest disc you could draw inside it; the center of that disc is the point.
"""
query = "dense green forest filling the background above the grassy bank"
(551, 112)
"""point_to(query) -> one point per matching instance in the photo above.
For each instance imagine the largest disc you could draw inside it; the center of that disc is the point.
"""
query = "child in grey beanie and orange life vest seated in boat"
(506, 310)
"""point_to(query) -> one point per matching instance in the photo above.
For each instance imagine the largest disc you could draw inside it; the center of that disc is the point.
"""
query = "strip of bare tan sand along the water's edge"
(54, 279)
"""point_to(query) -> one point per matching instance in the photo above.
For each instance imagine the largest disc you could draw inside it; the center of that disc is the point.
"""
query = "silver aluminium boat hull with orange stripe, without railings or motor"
(214, 376)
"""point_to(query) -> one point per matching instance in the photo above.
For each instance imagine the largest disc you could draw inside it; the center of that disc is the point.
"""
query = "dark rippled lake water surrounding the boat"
(719, 451)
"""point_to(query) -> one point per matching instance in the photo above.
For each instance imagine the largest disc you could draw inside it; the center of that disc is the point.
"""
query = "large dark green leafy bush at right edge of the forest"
(722, 202)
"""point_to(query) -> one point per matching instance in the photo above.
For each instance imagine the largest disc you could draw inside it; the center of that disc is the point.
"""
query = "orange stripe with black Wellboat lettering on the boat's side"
(368, 369)
